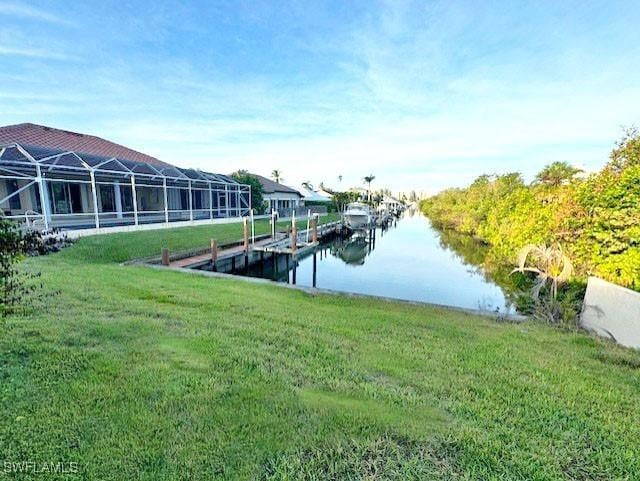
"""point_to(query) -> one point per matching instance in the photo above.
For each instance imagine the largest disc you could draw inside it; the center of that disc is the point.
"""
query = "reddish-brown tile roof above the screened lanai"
(40, 135)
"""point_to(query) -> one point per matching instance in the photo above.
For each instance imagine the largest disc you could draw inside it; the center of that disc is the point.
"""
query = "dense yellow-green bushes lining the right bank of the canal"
(596, 220)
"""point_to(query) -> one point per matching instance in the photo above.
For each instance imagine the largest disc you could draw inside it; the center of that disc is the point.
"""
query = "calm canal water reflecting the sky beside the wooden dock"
(409, 260)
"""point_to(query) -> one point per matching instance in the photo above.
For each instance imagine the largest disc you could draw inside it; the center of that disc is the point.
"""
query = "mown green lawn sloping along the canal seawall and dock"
(136, 373)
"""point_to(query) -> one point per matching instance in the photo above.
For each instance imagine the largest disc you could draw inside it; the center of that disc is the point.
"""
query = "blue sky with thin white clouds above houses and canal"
(423, 95)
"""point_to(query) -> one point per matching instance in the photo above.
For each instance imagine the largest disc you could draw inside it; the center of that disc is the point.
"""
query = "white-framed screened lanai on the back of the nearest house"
(48, 188)
